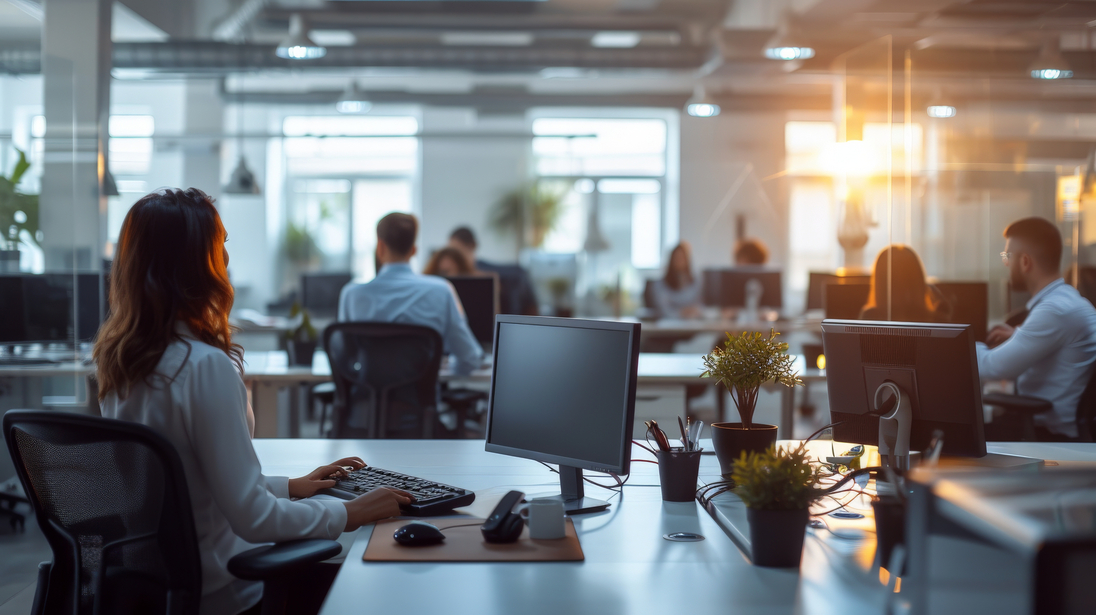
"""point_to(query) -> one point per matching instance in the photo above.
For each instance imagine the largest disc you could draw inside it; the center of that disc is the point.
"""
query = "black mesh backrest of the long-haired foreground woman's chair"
(111, 499)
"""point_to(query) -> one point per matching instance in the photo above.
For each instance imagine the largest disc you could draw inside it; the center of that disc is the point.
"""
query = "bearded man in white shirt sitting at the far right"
(1053, 354)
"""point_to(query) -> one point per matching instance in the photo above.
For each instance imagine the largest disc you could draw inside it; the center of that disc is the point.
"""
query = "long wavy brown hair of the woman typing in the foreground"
(169, 269)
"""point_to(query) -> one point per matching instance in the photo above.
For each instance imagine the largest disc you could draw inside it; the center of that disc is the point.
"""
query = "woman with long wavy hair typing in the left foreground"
(166, 359)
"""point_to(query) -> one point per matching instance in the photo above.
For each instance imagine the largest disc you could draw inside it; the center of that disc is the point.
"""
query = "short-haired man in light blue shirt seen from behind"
(399, 295)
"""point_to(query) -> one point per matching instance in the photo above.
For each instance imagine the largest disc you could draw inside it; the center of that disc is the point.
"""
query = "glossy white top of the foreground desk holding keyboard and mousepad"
(630, 567)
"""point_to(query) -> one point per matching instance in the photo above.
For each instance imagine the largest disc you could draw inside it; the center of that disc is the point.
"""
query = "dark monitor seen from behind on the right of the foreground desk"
(935, 368)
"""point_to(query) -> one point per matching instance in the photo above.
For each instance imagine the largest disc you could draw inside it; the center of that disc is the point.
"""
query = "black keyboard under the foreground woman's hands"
(430, 498)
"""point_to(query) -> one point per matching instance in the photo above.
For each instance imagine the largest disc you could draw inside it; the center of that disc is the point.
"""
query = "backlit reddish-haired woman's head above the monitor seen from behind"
(905, 297)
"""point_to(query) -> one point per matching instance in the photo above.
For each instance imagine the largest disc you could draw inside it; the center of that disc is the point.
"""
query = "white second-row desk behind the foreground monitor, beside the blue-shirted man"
(663, 381)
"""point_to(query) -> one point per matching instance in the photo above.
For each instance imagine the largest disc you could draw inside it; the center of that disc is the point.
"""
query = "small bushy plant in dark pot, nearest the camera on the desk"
(778, 486)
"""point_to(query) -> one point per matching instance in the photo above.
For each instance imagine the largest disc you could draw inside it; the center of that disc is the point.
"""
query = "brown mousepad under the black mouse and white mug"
(467, 544)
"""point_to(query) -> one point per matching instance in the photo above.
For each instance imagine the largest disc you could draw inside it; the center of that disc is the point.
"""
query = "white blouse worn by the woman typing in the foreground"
(197, 400)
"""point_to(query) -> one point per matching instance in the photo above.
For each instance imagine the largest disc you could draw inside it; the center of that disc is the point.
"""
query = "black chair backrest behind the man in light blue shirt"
(386, 379)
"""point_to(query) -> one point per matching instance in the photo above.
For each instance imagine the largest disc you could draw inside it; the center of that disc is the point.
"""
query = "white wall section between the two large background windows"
(465, 174)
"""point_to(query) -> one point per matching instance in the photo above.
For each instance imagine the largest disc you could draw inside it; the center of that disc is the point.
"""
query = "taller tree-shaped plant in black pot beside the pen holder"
(744, 365)
